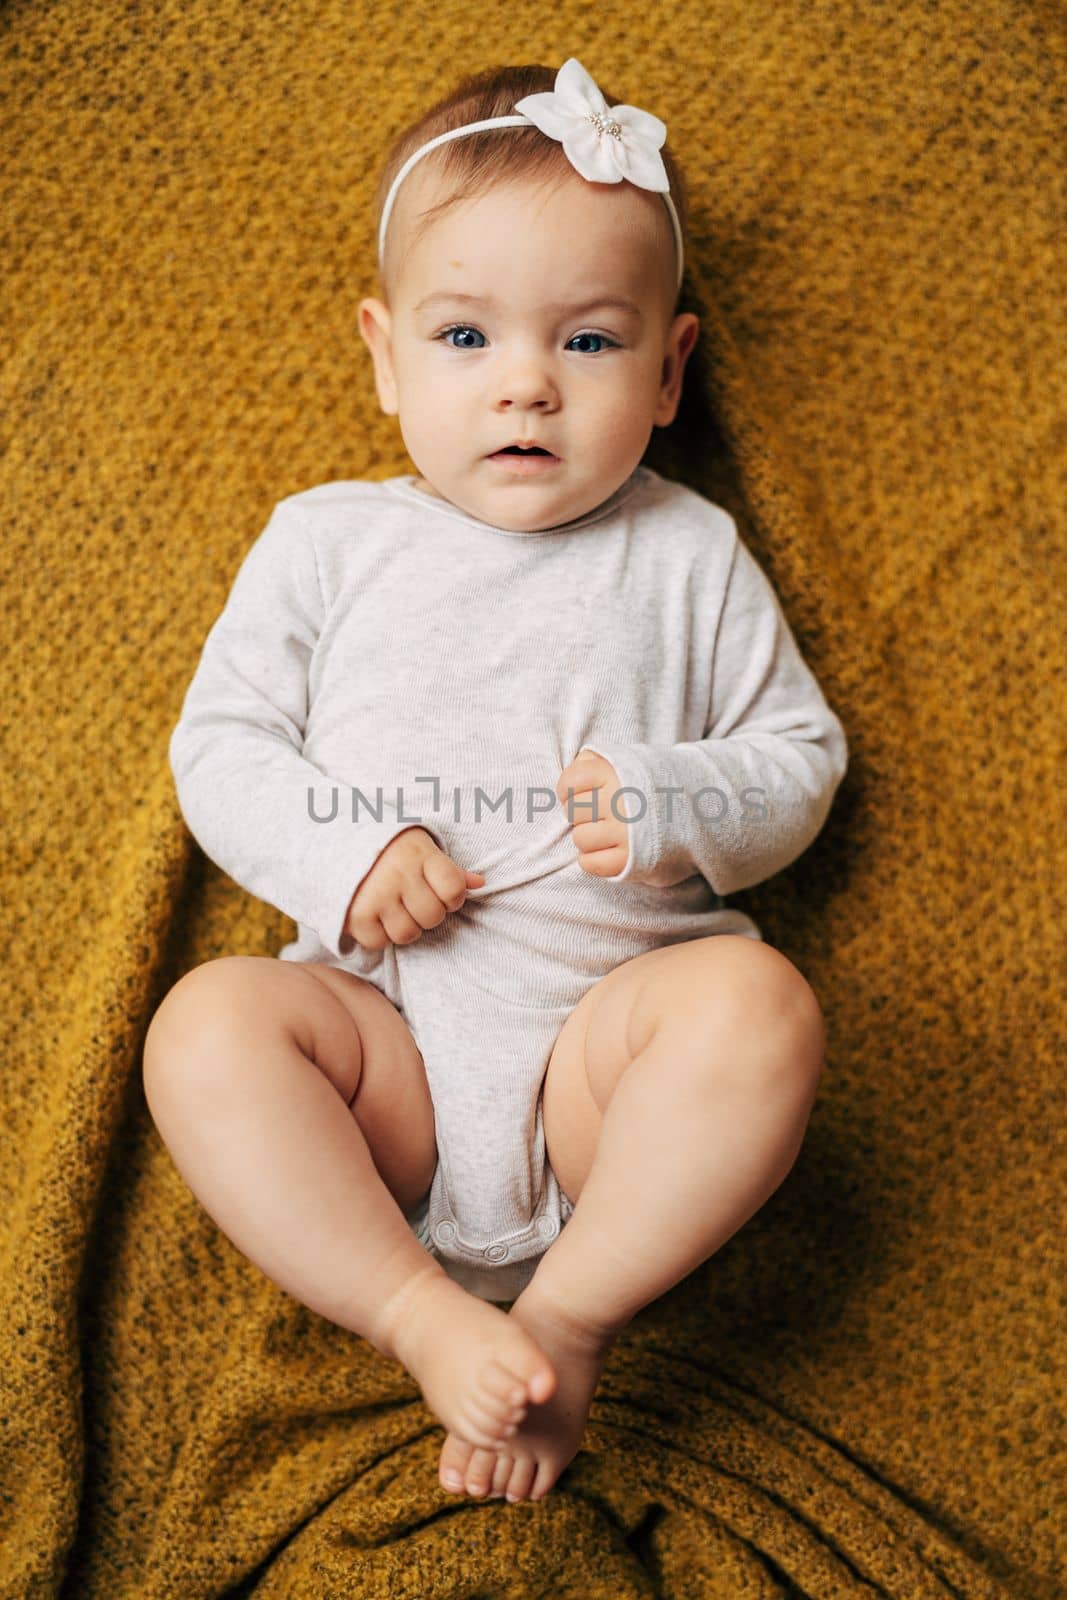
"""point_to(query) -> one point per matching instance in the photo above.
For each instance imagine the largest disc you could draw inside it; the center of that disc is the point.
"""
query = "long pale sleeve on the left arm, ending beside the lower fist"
(252, 801)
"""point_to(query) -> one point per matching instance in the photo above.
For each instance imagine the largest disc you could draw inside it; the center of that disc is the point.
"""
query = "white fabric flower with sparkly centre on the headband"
(605, 145)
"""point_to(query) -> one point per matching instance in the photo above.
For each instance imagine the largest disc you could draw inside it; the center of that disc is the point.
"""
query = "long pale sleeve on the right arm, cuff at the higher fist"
(754, 793)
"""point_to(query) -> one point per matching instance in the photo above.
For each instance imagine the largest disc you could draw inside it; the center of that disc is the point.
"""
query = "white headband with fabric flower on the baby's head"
(605, 145)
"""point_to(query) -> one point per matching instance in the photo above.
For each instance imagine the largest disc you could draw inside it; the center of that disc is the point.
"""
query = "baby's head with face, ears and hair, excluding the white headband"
(521, 257)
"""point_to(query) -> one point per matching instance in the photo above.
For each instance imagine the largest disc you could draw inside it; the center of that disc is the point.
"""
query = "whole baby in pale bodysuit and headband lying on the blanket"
(500, 738)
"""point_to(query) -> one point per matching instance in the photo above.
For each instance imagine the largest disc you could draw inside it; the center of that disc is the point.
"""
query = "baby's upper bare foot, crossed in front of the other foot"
(478, 1369)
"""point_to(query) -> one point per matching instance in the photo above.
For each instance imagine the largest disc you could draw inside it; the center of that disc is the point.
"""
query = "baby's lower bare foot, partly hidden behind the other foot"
(529, 1463)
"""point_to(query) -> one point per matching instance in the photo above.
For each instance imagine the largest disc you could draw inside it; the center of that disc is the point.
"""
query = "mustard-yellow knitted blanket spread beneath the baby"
(861, 1393)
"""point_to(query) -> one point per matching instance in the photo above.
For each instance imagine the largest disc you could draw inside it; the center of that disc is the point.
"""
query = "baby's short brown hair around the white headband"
(479, 162)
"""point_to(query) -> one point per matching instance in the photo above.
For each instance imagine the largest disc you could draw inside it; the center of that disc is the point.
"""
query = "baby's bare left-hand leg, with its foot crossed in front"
(286, 1098)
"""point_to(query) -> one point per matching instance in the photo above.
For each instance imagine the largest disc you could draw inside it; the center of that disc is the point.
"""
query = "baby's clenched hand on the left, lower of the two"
(414, 886)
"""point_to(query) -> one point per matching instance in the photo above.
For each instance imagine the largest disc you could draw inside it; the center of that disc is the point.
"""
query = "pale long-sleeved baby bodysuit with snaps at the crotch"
(385, 658)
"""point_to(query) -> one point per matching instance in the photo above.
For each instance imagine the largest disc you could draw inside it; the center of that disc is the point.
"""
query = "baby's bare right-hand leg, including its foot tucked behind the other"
(674, 1114)
